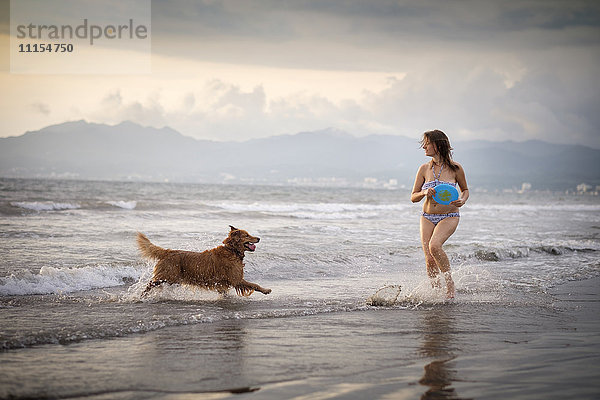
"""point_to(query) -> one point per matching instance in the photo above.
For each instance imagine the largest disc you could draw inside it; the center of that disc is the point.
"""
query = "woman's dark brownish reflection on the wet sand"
(438, 344)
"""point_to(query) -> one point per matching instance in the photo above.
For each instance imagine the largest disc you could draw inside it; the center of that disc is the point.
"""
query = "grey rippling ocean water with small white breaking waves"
(70, 273)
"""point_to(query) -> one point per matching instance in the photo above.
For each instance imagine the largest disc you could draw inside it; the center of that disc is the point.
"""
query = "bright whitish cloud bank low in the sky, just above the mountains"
(470, 98)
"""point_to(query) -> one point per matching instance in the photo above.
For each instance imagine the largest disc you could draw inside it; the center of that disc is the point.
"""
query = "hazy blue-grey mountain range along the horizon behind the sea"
(127, 151)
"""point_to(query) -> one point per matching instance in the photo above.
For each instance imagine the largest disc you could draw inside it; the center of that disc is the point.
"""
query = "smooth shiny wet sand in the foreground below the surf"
(439, 351)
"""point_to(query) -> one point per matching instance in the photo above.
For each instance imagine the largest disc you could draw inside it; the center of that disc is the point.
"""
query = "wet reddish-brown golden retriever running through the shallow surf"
(217, 269)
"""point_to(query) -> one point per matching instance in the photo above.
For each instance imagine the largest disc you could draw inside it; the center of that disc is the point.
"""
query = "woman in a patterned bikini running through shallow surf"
(438, 222)
